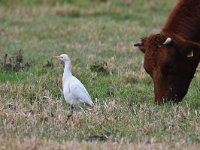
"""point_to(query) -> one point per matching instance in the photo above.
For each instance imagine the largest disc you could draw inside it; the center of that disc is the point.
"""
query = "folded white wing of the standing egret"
(78, 90)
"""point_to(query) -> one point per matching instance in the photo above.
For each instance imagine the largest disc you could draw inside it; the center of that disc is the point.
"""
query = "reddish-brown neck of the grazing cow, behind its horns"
(184, 20)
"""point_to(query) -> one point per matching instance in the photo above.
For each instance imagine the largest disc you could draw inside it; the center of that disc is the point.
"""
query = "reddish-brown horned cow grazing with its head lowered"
(172, 56)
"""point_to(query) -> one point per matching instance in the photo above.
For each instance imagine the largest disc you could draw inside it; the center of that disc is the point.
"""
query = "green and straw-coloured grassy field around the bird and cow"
(98, 36)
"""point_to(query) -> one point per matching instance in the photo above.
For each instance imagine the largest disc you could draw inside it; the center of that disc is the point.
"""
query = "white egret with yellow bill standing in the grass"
(73, 90)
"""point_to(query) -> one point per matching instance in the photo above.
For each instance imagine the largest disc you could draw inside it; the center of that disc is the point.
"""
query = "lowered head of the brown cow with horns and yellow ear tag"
(171, 61)
